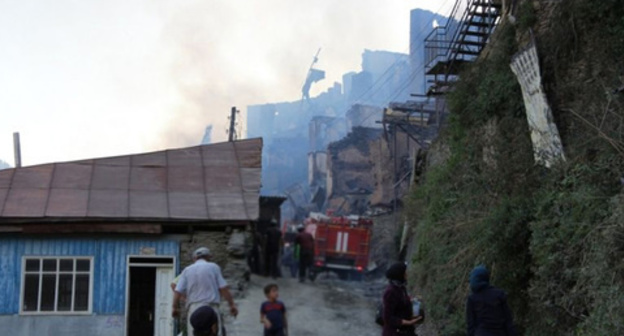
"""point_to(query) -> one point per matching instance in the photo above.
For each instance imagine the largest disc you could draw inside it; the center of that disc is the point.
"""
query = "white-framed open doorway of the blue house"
(149, 296)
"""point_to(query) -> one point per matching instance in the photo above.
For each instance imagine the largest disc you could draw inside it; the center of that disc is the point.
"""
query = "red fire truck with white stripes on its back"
(341, 244)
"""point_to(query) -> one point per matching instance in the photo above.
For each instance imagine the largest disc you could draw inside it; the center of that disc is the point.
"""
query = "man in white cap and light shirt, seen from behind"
(203, 285)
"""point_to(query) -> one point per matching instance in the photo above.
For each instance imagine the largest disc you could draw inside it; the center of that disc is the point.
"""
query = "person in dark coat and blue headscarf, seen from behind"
(487, 311)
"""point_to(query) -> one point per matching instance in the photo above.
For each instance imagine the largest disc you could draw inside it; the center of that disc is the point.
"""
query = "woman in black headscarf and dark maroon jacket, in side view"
(397, 313)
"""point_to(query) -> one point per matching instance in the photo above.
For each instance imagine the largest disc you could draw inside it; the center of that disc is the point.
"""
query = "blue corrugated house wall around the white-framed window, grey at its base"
(109, 282)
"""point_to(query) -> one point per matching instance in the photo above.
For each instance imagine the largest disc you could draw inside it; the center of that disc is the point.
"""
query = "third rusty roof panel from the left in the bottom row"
(108, 203)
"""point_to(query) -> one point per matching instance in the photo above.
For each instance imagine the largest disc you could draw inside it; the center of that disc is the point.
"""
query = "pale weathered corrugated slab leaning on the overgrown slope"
(547, 147)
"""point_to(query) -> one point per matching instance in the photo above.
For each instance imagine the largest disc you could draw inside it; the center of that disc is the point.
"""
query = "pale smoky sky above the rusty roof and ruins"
(87, 79)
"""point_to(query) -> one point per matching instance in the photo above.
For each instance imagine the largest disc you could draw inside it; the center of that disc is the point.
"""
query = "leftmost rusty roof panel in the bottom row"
(25, 202)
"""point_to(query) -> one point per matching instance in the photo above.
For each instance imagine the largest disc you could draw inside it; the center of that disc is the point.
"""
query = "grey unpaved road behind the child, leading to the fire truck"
(319, 308)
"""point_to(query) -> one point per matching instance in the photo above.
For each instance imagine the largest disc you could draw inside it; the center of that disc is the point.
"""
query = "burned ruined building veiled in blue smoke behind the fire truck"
(297, 134)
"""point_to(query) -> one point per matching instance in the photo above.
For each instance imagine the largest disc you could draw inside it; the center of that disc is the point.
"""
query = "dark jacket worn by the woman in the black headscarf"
(397, 306)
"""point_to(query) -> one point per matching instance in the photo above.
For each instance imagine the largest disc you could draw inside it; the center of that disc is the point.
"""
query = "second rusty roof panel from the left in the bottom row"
(67, 202)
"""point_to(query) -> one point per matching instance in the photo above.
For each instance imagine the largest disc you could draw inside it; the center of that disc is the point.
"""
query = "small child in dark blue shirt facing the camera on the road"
(273, 313)
